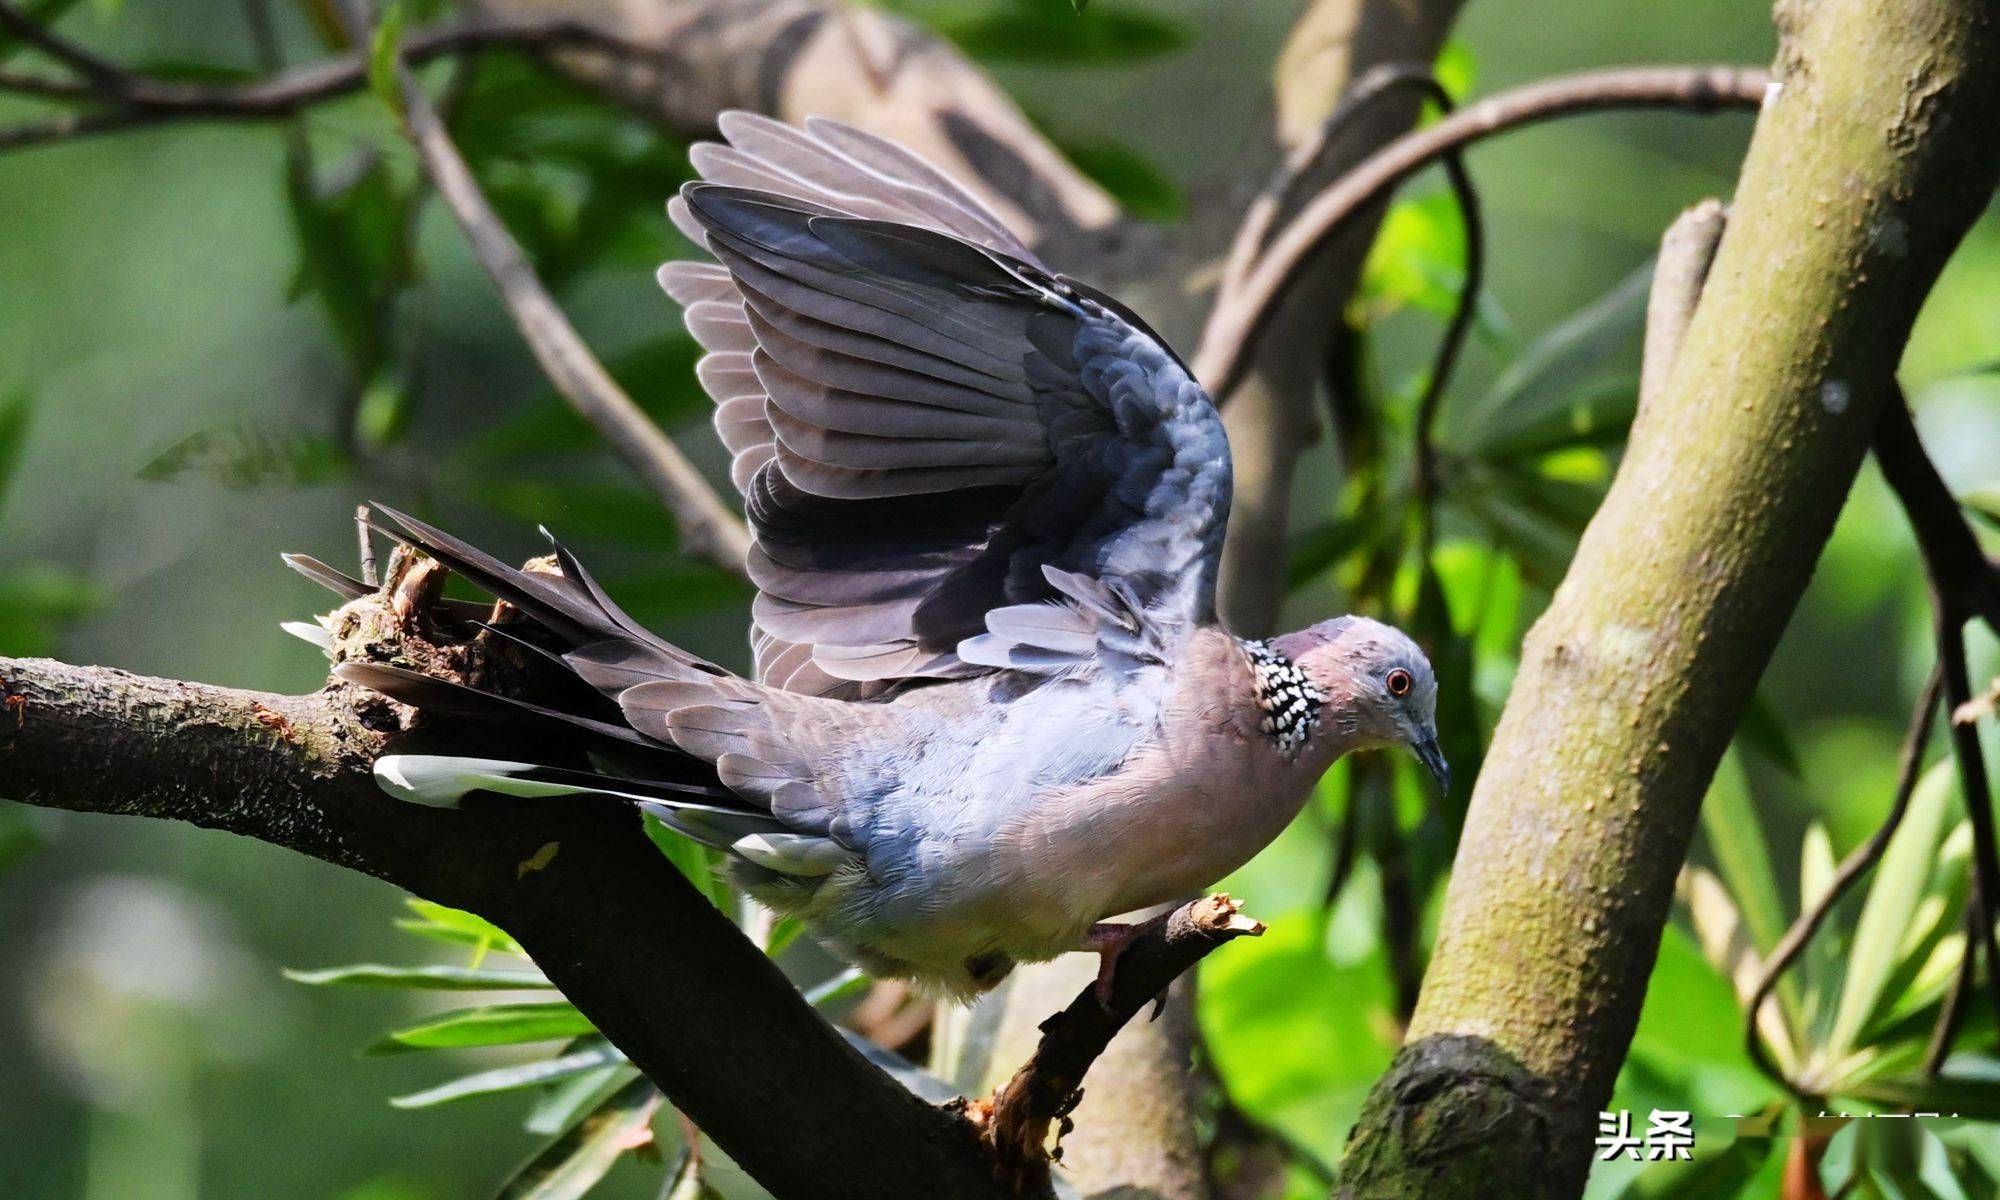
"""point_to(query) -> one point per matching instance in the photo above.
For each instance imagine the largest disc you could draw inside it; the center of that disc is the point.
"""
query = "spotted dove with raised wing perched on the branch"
(993, 703)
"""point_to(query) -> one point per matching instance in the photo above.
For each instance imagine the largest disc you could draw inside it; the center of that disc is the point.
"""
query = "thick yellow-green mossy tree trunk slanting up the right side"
(1877, 151)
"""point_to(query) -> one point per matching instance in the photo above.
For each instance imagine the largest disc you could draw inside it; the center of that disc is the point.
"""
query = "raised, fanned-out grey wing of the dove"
(953, 459)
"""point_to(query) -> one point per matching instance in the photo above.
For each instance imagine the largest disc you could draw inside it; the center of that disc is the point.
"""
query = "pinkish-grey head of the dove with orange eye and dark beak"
(1375, 687)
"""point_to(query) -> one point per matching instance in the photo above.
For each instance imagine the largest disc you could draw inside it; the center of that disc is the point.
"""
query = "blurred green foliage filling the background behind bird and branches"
(215, 343)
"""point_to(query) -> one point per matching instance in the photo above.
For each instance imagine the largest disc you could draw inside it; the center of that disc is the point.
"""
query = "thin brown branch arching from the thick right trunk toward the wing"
(1235, 325)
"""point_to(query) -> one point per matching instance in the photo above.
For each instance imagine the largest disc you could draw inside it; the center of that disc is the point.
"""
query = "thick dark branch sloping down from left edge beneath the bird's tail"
(607, 919)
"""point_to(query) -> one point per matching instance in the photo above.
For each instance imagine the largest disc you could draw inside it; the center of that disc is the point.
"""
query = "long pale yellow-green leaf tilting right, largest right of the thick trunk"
(1895, 893)
